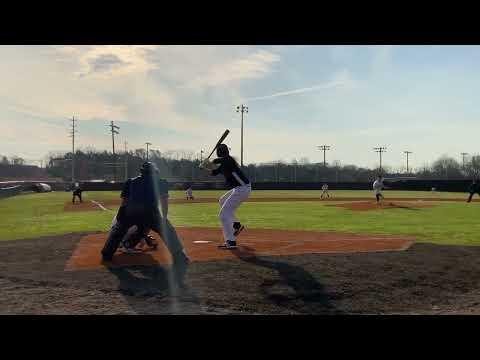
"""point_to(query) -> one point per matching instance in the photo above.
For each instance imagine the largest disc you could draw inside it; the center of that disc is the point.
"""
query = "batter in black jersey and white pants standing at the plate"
(229, 202)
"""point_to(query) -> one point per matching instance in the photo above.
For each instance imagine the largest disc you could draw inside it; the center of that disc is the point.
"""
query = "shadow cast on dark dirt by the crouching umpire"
(153, 290)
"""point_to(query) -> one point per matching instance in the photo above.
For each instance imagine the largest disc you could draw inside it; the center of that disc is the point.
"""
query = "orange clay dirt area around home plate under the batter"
(201, 245)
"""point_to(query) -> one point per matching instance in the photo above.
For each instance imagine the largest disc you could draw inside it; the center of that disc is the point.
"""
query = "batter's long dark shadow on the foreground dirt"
(297, 289)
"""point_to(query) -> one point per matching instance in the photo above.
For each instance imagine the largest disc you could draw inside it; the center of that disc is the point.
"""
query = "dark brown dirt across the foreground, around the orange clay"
(424, 279)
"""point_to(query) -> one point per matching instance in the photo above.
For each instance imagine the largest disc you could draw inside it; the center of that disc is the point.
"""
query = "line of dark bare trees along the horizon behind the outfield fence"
(183, 166)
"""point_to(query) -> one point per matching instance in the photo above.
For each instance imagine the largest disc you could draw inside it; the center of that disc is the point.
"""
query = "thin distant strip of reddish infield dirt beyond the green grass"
(89, 205)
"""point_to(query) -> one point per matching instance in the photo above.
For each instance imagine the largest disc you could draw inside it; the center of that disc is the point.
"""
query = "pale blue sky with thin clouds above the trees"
(181, 98)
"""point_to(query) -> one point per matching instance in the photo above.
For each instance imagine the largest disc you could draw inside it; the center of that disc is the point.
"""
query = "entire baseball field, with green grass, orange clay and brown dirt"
(415, 253)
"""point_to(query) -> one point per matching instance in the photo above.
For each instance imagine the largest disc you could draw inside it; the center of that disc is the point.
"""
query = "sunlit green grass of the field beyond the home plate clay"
(37, 215)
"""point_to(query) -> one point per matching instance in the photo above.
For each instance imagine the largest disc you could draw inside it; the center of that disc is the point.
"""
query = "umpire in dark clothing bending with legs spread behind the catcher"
(140, 207)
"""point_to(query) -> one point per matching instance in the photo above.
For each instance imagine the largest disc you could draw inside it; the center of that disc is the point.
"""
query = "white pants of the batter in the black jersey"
(229, 203)
